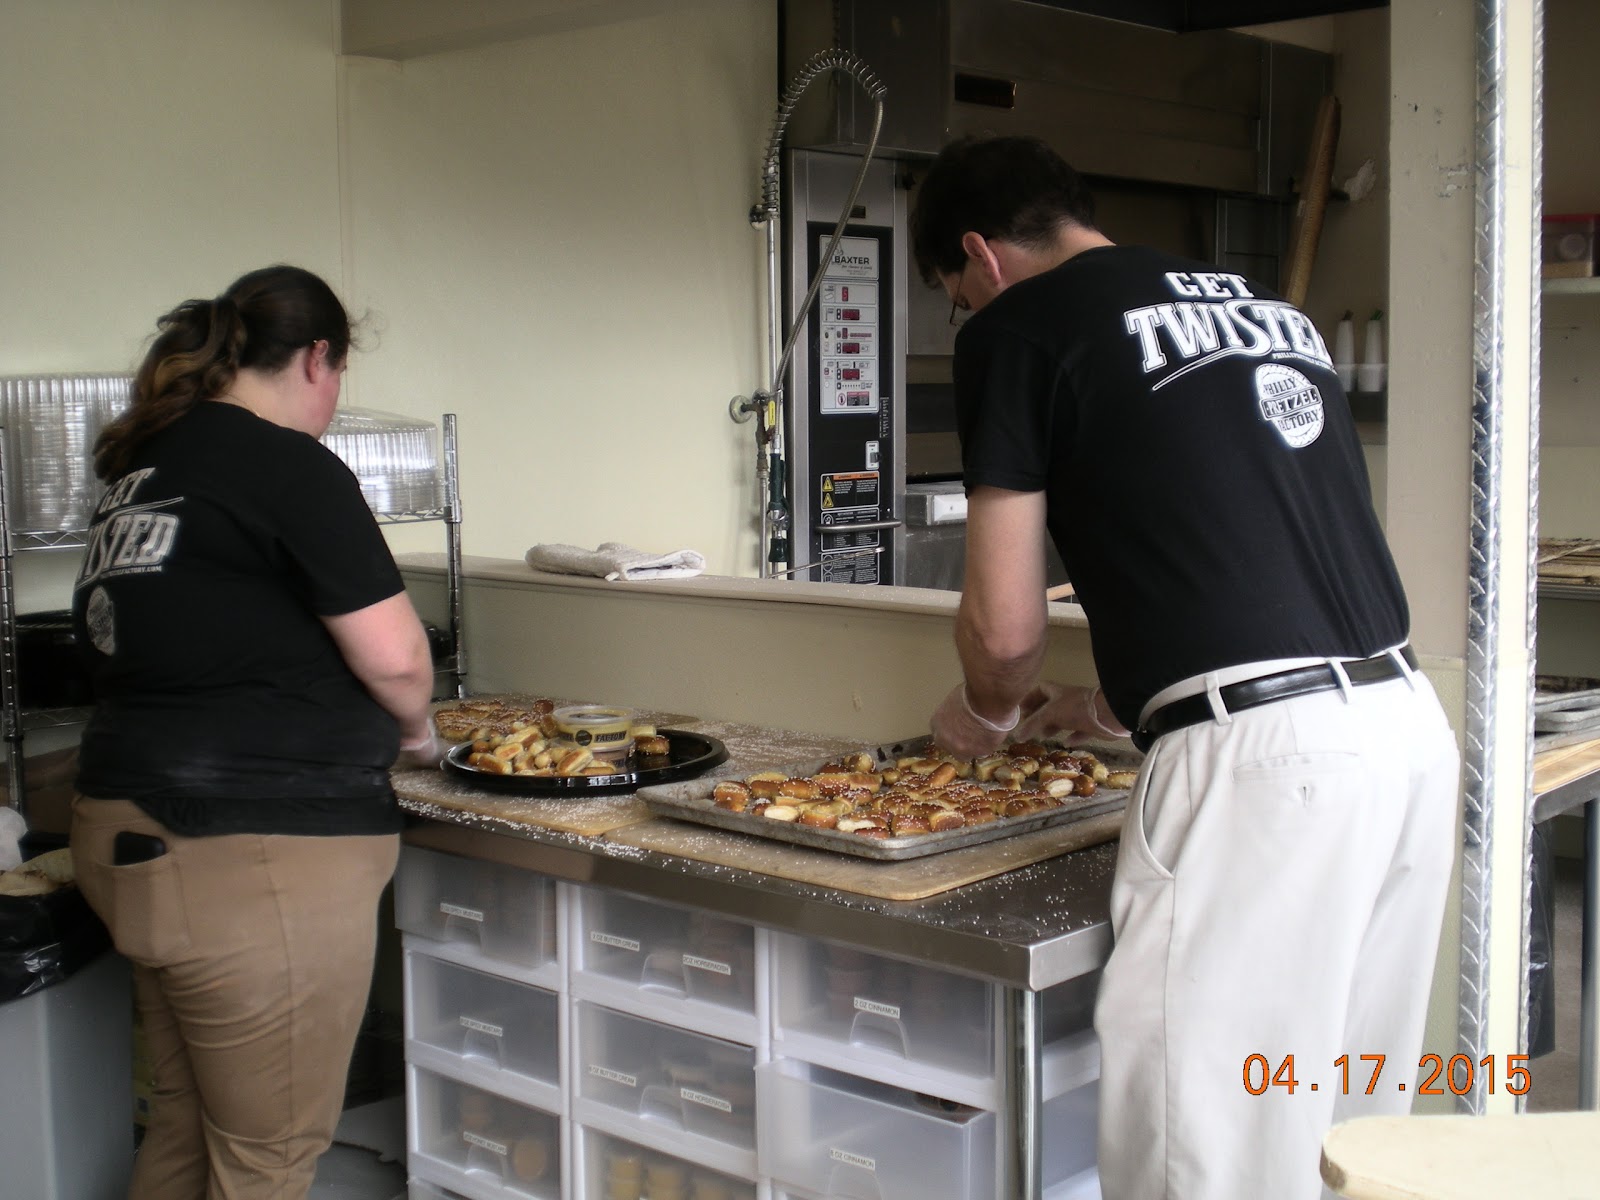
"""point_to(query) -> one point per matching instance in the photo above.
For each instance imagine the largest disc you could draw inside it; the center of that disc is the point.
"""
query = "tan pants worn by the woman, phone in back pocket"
(252, 959)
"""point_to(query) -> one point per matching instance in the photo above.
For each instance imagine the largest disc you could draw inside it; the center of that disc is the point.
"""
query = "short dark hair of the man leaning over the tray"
(1017, 190)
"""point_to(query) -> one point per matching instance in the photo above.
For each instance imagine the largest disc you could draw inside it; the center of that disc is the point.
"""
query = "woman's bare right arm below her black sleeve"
(386, 649)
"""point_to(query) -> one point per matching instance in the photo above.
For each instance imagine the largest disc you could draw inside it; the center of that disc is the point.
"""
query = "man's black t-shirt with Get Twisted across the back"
(1206, 482)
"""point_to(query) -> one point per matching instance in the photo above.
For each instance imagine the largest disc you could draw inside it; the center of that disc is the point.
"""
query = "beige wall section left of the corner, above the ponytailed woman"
(153, 151)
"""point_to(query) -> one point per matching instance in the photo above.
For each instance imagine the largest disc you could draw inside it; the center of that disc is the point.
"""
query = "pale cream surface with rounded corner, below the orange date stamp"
(1550, 1156)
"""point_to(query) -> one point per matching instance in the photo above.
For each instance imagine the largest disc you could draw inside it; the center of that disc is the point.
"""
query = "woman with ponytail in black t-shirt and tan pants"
(258, 670)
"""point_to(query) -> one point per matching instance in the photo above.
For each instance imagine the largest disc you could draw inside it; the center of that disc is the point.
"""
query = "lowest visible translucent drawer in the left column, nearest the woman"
(495, 1145)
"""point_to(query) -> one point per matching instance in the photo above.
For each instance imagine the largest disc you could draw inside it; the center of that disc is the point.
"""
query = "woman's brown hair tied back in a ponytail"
(201, 348)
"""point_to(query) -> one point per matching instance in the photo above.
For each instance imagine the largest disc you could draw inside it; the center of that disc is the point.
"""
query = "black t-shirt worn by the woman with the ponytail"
(223, 705)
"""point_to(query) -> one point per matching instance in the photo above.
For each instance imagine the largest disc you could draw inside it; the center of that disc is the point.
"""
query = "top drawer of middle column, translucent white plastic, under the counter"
(666, 951)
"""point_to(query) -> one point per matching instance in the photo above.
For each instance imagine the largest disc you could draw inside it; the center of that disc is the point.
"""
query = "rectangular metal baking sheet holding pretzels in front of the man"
(692, 802)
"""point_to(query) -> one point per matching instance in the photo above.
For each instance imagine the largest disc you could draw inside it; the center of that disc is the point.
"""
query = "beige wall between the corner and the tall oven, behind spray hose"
(553, 241)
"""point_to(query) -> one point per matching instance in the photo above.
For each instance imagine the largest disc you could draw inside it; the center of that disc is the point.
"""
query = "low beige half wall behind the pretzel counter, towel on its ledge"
(823, 658)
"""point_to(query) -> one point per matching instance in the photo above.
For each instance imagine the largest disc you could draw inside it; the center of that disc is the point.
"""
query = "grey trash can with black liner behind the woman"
(66, 1046)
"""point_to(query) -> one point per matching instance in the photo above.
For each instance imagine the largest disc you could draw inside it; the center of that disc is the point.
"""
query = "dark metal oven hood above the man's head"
(1215, 110)
